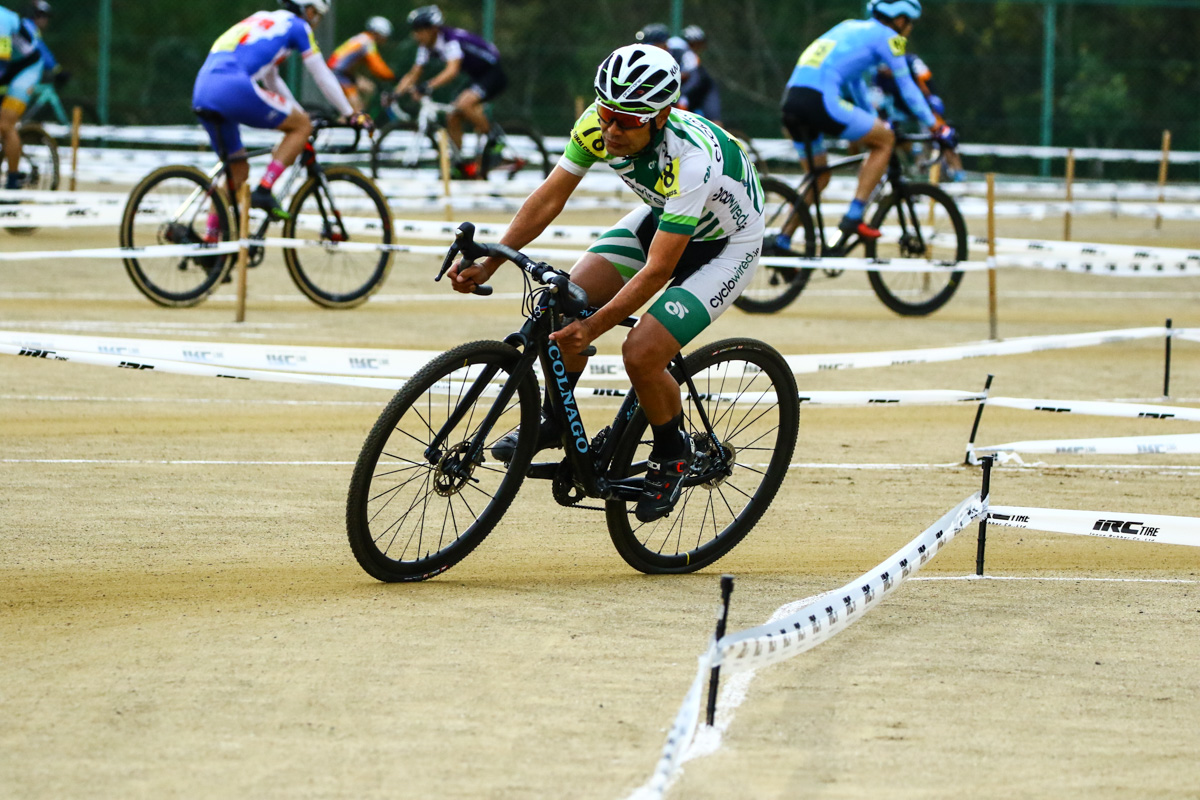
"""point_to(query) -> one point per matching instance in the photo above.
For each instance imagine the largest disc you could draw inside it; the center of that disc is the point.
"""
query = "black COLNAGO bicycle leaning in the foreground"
(428, 489)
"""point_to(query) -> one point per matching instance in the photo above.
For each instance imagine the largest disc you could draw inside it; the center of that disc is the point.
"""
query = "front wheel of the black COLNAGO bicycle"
(415, 509)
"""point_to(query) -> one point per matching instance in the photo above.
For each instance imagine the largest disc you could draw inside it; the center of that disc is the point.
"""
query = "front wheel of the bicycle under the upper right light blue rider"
(926, 224)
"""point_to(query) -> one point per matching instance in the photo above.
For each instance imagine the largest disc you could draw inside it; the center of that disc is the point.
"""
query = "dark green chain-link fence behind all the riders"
(1123, 74)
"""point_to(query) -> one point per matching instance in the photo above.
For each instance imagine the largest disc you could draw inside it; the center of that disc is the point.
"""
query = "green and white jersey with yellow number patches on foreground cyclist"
(695, 177)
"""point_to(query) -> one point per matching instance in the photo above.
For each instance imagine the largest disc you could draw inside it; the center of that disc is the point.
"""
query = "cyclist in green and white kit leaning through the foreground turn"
(700, 236)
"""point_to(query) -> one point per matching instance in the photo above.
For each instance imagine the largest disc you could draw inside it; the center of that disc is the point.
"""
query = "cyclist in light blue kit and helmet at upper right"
(835, 65)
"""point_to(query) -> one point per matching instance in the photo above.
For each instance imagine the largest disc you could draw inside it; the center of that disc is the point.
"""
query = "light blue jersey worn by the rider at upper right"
(836, 64)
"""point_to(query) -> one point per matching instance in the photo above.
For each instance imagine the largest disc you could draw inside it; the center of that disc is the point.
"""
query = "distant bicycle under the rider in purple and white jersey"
(499, 154)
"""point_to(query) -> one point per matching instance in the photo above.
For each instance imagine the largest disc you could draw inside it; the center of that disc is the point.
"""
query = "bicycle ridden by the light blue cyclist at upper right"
(919, 221)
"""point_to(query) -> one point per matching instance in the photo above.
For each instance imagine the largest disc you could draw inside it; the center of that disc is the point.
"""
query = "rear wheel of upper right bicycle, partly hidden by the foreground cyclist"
(772, 288)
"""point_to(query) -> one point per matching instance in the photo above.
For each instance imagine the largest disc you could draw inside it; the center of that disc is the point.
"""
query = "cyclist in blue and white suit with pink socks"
(241, 85)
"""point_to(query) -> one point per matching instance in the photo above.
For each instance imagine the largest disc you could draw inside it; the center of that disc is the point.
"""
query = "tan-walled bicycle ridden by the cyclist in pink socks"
(334, 206)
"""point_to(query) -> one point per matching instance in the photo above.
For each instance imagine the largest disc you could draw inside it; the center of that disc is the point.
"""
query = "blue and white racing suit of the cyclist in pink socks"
(241, 80)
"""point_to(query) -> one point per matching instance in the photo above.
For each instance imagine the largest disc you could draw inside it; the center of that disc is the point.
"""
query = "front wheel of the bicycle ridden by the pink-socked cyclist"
(347, 209)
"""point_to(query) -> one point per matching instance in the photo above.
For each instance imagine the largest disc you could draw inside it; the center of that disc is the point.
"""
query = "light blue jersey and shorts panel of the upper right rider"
(837, 65)
